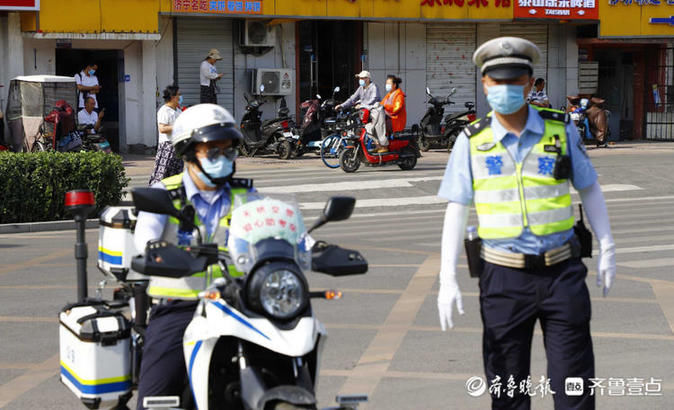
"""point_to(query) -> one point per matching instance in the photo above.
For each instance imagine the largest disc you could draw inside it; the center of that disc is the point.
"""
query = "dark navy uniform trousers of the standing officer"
(511, 301)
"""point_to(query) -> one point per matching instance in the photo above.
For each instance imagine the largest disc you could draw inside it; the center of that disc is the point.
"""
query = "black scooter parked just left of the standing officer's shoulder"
(434, 131)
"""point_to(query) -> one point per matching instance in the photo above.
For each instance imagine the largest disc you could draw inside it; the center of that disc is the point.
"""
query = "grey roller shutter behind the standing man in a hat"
(195, 37)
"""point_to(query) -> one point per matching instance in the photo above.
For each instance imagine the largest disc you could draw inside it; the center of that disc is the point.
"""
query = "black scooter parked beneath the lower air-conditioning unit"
(268, 135)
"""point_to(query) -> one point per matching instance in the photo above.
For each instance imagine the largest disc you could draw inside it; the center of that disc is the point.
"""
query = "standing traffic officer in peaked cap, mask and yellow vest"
(517, 165)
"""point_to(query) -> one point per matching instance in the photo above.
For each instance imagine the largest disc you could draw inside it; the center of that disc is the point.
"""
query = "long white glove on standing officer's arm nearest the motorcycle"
(453, 230)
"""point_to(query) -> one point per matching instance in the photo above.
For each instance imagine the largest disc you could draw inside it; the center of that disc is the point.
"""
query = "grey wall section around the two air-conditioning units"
(281, 56)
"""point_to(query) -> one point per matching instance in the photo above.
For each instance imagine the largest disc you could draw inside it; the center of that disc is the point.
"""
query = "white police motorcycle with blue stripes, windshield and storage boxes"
(253, 343)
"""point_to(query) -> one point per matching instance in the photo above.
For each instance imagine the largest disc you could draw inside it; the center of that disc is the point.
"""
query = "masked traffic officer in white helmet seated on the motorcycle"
(206, 137)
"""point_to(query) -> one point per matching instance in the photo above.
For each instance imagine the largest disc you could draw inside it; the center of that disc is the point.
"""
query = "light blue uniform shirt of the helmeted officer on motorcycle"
(210, 206)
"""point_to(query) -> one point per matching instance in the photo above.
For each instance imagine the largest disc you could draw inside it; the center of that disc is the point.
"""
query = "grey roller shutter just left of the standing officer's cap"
(449, 64)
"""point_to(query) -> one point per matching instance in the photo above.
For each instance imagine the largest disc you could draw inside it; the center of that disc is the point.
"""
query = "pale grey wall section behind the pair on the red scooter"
(400, 49)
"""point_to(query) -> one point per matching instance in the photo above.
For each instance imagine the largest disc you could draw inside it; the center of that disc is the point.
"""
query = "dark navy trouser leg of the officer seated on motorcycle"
(162, 369)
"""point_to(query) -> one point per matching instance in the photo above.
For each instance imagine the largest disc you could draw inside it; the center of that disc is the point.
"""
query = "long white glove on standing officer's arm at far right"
(595, 208)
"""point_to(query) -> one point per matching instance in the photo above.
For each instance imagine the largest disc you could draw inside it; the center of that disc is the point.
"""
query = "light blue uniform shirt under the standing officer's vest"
(457, 183)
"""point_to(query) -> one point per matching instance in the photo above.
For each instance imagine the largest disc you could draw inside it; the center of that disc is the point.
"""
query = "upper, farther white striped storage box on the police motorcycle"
(115, 243)
